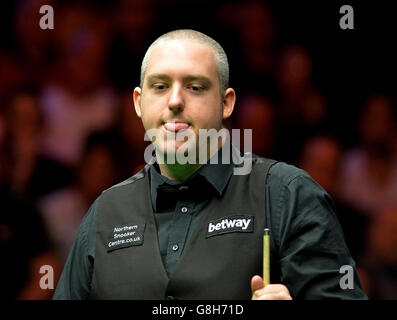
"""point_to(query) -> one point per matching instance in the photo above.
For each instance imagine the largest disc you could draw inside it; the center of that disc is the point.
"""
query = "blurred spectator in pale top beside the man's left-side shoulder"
(64, 209)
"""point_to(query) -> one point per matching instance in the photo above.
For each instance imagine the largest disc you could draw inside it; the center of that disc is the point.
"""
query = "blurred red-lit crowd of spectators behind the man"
(68, 129)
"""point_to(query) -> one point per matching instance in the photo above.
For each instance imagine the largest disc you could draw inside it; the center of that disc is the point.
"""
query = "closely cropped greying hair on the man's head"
(192, 35)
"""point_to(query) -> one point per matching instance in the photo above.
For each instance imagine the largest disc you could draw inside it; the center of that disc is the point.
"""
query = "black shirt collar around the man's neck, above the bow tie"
(215, 174)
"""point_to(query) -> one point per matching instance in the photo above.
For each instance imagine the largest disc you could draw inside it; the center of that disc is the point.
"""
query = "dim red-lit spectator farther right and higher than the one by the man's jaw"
(302, 109)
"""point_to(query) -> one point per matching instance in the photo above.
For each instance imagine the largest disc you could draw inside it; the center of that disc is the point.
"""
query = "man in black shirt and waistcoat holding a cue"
(194, 230)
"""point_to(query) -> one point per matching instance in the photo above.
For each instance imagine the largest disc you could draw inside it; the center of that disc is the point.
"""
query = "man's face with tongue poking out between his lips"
(180, 92)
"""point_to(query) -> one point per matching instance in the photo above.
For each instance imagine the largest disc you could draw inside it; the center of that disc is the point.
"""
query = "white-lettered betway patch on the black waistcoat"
(236, 223)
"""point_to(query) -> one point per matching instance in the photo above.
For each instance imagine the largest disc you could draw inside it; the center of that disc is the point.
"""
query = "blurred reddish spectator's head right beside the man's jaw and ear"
(257, 113)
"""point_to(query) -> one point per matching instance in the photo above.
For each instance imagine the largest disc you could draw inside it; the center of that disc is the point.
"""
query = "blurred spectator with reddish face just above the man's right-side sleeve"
(321, 157)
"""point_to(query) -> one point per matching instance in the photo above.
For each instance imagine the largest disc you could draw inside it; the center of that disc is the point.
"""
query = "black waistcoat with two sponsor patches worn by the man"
(217, 263)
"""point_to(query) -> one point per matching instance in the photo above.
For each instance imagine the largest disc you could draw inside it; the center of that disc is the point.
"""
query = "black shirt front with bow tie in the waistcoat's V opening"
(178, 206)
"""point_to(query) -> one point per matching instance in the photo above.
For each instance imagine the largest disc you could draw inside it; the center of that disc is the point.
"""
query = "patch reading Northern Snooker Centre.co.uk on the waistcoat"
(125, 236)
